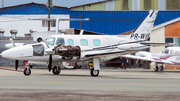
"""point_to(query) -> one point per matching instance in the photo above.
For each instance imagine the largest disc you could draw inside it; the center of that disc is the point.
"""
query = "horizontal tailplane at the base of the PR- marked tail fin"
(159, 44)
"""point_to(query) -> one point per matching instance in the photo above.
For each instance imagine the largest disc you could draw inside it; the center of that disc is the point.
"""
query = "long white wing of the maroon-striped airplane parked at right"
(152, 59)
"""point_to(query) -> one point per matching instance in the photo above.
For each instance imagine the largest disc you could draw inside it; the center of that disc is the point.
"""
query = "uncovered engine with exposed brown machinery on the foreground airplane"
(68, 52)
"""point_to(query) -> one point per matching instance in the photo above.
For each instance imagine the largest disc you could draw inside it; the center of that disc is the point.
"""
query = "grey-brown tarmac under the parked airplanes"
(112, 84)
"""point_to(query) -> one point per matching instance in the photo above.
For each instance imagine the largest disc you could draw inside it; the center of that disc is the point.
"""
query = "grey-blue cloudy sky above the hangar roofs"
(64, 3)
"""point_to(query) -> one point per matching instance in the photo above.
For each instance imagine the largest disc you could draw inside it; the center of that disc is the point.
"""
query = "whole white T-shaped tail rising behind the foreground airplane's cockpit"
(57, 21)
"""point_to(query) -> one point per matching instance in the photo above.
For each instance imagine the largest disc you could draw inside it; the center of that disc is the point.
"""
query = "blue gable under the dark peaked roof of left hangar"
(32, 8)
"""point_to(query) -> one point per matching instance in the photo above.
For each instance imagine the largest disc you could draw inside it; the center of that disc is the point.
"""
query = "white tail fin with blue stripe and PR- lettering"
(143, 31)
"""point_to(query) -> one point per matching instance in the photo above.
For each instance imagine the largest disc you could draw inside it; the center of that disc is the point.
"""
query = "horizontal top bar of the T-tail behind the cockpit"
(59, 19)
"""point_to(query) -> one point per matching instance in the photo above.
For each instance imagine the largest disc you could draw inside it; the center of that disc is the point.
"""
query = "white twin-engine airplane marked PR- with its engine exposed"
(94, 48)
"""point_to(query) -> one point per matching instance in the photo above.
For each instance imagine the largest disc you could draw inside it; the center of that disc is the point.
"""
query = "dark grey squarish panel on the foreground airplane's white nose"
(38, 50)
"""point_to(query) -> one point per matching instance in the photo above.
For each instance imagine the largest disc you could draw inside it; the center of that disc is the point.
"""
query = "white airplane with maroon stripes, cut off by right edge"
(170, 55)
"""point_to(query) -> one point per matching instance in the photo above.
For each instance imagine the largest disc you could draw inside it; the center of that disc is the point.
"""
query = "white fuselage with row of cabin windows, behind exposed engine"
(88, 43)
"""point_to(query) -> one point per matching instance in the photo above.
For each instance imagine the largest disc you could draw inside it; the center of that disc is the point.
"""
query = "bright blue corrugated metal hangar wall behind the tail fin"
(116, 22)
